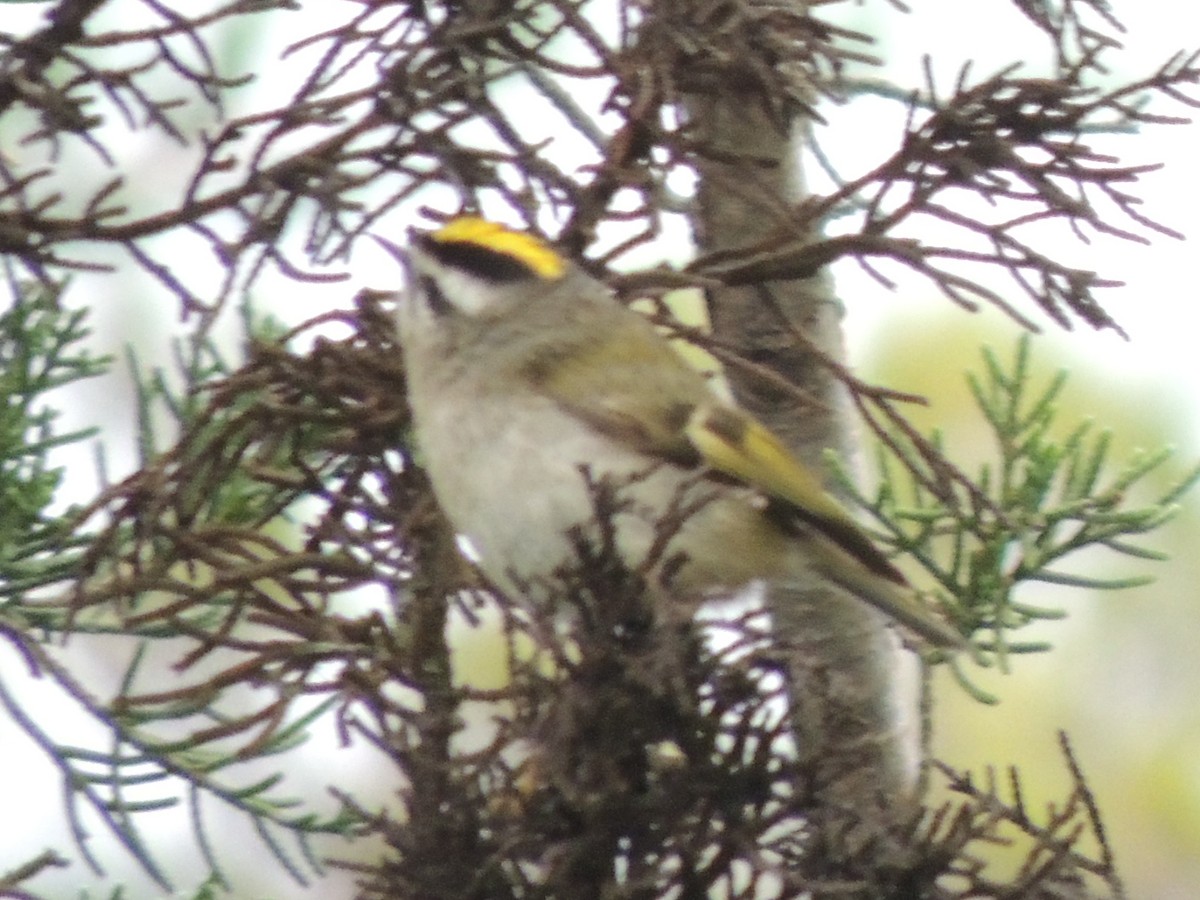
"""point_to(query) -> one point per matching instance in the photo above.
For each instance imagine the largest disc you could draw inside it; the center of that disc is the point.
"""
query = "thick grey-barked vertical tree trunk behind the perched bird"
(854, 699)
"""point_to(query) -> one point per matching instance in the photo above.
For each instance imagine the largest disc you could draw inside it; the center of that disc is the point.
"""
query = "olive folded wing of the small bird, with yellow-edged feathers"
(622, 386)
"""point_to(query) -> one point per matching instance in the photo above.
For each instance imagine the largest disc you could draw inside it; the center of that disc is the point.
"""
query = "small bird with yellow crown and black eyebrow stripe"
(525, 373)
